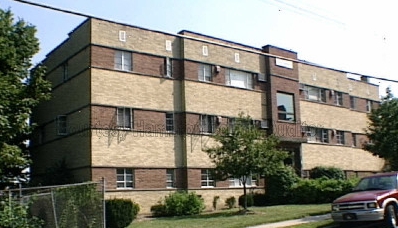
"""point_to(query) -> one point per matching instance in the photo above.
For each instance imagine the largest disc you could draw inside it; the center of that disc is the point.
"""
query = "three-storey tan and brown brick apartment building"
(138, 106)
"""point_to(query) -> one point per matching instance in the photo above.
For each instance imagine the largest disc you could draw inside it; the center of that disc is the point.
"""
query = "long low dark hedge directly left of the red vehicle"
(320, 190)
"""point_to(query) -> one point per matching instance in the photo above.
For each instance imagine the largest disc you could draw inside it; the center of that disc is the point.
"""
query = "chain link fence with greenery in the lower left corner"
(65, 206)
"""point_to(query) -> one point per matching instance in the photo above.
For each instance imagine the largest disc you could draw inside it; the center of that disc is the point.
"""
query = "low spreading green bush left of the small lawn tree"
(179, 203)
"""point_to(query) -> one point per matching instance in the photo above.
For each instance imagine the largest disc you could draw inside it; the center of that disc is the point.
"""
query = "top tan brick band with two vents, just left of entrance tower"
(224, 56)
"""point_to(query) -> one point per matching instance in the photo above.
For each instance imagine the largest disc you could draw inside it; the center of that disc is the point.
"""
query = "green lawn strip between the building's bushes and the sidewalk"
(232, 218)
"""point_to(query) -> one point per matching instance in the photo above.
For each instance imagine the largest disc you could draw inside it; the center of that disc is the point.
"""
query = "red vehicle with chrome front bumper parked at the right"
(374, 198)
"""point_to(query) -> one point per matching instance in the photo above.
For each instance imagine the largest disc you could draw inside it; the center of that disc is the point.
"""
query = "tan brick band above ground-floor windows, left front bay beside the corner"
(135, 149)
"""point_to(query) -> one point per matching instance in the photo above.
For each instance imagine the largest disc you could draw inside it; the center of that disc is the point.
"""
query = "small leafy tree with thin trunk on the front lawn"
(244, 151)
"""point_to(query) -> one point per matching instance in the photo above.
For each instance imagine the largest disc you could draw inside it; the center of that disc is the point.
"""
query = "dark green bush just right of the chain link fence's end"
(120, 212)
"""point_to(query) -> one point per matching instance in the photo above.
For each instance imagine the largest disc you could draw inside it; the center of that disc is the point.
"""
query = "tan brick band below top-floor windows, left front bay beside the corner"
(137, 91)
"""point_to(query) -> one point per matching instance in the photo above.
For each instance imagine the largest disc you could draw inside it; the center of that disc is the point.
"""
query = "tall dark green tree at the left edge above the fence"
(20, 91)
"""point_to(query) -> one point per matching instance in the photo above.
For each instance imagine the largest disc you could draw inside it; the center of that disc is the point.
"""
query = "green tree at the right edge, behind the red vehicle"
(382, 131)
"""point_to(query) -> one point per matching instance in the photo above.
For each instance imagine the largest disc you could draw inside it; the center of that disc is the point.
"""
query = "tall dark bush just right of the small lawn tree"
(278, 186)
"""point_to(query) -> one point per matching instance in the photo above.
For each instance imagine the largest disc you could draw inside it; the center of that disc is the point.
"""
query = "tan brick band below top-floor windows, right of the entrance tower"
(327, 116)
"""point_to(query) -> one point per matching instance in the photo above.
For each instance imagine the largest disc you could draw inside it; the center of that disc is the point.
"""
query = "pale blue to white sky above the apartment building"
(358, 36)
